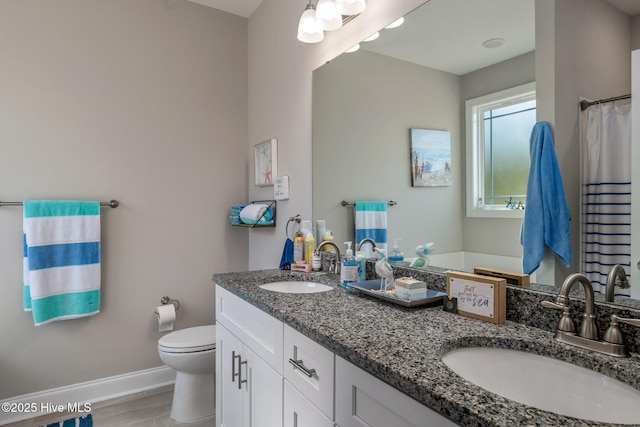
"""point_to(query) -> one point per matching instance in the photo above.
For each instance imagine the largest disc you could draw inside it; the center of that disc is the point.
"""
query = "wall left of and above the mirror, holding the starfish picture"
(280, 101)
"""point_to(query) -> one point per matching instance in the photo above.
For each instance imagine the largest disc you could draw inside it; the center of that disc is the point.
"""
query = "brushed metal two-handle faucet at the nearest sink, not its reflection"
(613, 341)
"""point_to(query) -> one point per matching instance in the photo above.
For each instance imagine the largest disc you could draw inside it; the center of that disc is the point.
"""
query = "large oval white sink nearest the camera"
(546, 383)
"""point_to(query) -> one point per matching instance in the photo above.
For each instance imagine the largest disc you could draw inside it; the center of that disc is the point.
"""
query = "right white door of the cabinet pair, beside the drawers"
(263, 399)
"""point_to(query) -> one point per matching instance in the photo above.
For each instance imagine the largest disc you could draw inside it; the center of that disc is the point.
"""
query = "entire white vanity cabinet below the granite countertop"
(268, 374)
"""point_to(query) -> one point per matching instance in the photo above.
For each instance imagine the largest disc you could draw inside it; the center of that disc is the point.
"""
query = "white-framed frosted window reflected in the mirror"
(498, 131)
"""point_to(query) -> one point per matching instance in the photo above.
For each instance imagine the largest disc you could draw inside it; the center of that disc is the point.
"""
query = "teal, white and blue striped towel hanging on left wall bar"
(62, 259)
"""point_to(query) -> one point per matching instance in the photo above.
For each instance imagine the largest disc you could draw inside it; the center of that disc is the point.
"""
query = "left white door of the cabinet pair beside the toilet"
(228, 396)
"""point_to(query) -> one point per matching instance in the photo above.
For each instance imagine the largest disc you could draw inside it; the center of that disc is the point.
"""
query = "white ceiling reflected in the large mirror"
(437, 35)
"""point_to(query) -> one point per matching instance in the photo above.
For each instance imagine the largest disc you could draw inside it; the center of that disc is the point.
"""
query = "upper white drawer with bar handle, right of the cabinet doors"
(309, 367)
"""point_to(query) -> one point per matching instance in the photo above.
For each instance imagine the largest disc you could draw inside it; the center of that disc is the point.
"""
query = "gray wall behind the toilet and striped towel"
(142, 101)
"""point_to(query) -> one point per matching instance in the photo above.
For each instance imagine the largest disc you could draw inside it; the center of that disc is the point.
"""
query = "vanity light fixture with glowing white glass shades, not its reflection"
(328, 16)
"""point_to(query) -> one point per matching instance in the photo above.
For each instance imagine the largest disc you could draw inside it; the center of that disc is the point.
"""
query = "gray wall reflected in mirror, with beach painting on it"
(364, 104)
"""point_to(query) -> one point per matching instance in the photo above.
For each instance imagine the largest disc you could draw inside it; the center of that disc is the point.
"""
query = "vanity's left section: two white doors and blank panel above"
(249, 389)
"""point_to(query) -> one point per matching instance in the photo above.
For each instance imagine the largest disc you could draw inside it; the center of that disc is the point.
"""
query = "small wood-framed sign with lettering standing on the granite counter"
(480, 297)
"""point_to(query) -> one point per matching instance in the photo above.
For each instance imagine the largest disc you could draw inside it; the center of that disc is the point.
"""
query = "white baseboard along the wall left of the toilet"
(75, 396)
